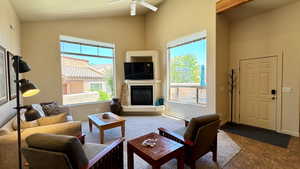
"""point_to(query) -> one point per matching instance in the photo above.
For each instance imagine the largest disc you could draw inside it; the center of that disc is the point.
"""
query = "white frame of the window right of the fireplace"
(182, 41)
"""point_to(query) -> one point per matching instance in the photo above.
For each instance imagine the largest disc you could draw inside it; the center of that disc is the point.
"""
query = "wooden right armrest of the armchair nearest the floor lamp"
(115, 147)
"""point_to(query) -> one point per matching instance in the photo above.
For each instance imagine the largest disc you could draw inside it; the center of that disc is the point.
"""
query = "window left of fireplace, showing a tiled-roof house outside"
(87, 70)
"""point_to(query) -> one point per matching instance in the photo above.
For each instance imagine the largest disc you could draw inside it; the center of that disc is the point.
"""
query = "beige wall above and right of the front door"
(273, 33)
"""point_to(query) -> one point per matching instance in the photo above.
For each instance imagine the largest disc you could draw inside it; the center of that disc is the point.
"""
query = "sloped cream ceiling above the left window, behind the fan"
(38, 10)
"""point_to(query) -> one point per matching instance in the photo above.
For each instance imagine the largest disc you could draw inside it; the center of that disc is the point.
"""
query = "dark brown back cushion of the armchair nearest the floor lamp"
(68, 145)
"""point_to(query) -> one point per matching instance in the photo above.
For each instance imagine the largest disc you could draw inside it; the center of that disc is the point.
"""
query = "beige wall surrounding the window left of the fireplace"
(40, 44)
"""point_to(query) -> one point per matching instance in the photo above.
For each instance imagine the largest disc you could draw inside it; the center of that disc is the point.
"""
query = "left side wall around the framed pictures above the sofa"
(9, 39)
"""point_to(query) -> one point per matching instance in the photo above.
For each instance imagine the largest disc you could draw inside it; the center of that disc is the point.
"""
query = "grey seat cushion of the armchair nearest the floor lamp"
(91, 150)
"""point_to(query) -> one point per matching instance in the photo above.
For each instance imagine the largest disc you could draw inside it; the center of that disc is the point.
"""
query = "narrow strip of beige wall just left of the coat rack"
(222, 62)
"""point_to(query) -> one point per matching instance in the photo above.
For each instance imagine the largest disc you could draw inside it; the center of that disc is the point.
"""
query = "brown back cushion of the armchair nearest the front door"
(196, 123)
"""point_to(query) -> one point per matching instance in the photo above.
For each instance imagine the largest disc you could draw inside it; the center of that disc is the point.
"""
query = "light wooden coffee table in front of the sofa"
(104, 124)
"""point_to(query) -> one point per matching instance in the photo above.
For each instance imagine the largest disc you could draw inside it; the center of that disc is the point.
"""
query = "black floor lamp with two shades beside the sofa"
(27, 89)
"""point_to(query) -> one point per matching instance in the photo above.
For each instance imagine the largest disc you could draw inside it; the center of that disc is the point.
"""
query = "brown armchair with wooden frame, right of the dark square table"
(198, 137)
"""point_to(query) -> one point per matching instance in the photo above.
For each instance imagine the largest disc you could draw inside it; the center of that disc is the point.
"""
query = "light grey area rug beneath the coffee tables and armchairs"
(141, 125)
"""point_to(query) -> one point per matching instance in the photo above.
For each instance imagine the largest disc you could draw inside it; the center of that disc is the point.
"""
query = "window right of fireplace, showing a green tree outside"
(187, 70)
